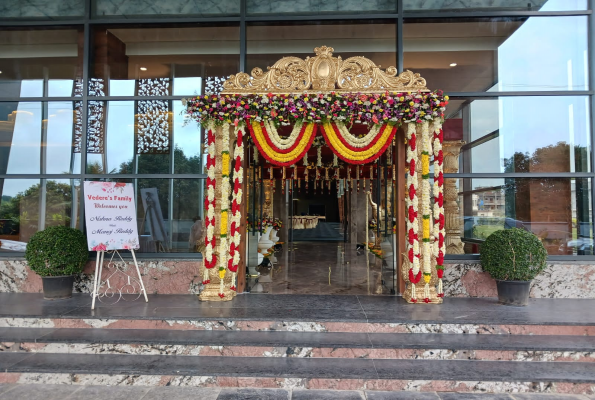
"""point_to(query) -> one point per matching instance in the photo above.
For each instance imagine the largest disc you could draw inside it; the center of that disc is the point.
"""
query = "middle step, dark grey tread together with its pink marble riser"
(299, 344)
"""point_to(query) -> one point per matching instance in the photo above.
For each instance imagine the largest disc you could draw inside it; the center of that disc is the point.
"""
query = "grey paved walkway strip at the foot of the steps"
(70, 392)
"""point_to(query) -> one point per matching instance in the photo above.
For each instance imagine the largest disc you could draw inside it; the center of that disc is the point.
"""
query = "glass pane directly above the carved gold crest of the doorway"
(268, 43)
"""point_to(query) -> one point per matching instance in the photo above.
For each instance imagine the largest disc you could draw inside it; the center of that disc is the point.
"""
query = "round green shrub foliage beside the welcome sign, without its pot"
(56, 251)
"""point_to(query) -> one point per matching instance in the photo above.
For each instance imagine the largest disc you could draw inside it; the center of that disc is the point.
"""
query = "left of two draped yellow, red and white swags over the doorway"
(270, 148)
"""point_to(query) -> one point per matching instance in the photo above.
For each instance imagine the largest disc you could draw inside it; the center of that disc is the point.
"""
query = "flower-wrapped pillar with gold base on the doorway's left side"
(219, 282)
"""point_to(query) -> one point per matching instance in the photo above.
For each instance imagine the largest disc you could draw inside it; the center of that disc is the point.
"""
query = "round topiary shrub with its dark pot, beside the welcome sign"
(57, 254)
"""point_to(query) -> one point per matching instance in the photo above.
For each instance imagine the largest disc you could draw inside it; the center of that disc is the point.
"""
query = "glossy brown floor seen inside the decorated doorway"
(323, 268)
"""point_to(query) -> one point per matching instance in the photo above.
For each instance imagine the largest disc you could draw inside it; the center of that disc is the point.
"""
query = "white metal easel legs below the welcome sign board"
(130, 286)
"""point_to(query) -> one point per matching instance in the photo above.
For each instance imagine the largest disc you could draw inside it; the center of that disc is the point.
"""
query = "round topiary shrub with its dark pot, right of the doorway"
(513, 257)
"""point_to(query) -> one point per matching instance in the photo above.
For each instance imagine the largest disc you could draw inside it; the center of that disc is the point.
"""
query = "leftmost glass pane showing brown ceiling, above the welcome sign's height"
(31, 57)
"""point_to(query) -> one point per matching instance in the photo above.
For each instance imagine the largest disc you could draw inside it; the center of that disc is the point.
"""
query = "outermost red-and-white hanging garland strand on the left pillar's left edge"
(210, 241)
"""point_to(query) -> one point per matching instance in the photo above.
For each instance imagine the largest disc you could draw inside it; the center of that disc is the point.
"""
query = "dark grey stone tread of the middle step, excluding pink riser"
(450, 341)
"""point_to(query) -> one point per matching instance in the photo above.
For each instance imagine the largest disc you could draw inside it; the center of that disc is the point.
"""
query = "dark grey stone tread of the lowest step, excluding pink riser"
(303, 368)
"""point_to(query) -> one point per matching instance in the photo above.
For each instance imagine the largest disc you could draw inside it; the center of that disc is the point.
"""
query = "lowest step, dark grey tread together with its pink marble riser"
(311, 373)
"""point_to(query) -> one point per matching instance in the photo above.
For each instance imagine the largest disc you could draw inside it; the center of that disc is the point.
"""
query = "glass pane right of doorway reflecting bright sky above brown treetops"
(510, 134)
